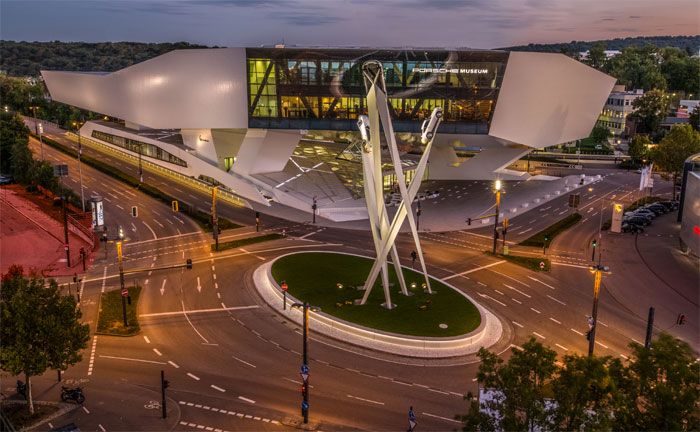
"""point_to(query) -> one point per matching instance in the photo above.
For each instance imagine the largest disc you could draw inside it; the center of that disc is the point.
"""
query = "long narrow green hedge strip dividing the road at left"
(202, 218)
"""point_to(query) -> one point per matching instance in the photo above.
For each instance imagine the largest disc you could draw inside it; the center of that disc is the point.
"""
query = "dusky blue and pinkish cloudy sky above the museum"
(436, 23)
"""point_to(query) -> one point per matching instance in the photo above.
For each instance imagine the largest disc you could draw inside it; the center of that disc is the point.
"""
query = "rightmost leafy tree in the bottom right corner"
(662, 391)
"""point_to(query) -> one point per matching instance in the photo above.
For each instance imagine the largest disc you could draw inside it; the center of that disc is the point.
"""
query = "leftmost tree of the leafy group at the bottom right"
(518, 388)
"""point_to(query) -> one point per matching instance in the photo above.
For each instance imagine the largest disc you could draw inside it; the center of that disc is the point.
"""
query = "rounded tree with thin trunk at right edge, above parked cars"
(680, 143)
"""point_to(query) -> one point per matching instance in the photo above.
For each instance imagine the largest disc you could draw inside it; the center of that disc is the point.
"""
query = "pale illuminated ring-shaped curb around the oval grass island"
(488, 333)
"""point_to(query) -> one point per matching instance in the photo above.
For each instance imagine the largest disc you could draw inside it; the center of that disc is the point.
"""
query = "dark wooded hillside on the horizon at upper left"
(28, 58)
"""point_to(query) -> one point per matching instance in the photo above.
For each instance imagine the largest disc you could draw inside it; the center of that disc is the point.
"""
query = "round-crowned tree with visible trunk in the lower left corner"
(40, 329)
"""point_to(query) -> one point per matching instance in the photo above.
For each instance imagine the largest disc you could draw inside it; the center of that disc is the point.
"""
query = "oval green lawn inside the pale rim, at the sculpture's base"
(314, 277)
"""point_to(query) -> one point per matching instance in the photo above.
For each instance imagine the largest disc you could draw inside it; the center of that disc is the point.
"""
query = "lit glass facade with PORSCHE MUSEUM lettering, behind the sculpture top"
(324, 88)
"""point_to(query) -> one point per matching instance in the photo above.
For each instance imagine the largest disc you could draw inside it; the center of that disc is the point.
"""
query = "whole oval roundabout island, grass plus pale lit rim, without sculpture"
(446, 323)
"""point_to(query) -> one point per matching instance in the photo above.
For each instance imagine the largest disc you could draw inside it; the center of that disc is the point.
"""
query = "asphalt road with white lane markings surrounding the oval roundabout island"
(233, 362)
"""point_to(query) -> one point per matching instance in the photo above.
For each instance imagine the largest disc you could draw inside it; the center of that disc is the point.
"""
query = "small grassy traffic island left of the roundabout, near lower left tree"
(111, 321)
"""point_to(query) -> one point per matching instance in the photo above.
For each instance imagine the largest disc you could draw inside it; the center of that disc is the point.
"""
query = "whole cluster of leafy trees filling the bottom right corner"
(656, 390)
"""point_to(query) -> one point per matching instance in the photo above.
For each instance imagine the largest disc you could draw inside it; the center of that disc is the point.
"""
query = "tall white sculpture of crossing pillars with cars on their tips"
(383, 232)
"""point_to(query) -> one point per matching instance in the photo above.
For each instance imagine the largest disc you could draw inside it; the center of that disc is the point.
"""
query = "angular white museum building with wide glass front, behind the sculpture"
(279, 123)
